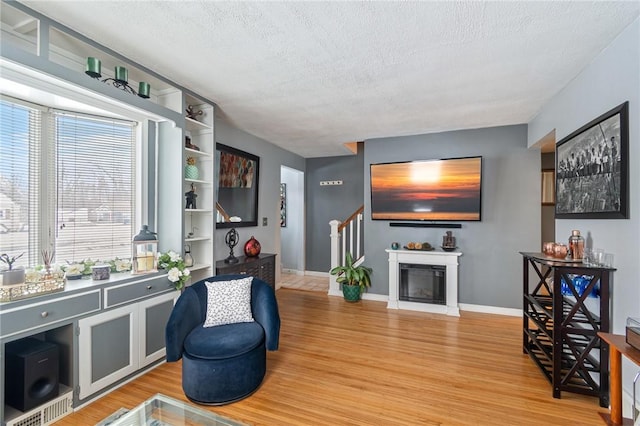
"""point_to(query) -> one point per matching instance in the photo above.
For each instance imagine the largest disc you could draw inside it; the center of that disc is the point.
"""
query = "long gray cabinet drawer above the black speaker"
(39, 314)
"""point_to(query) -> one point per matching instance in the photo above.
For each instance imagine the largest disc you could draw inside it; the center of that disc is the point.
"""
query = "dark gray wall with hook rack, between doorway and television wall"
(325, 203)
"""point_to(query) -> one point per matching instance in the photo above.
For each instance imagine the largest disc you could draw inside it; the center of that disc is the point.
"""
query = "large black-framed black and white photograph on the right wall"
(592, 169)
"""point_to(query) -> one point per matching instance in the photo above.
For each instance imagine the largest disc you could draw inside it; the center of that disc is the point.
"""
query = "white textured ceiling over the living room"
(310, 76)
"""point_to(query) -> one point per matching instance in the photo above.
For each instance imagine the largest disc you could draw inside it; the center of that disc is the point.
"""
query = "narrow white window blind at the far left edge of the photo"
(20, 168)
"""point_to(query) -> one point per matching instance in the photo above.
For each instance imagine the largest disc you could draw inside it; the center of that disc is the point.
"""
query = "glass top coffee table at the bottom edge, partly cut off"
(160, 410)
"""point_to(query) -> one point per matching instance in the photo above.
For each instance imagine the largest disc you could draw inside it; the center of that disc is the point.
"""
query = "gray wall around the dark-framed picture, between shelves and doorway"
(271, 159)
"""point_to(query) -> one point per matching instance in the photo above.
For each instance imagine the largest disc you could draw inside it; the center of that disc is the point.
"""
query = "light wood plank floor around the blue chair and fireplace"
(361, 364)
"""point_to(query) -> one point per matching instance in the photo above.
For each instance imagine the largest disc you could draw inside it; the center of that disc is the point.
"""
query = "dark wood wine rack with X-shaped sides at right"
(560, 331)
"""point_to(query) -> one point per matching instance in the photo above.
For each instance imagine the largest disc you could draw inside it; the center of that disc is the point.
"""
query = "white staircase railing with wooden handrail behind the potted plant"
(346, 237)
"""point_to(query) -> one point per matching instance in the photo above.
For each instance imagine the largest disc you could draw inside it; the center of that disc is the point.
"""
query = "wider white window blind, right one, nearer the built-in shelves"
(95, 187)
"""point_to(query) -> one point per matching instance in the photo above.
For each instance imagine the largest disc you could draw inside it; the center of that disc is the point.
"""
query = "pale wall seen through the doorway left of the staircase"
(292, 235)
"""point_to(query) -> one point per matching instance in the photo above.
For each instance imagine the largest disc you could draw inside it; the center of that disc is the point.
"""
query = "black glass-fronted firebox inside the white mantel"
(423, 283)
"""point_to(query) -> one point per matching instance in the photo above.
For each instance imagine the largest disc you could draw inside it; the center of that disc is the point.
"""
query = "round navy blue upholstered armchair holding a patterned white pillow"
(225, 363)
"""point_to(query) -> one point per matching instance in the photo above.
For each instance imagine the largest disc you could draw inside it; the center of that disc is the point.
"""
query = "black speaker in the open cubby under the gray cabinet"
(31, 373)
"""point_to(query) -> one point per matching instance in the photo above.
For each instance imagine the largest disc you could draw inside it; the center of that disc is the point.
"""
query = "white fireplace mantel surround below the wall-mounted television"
(419, 257)
